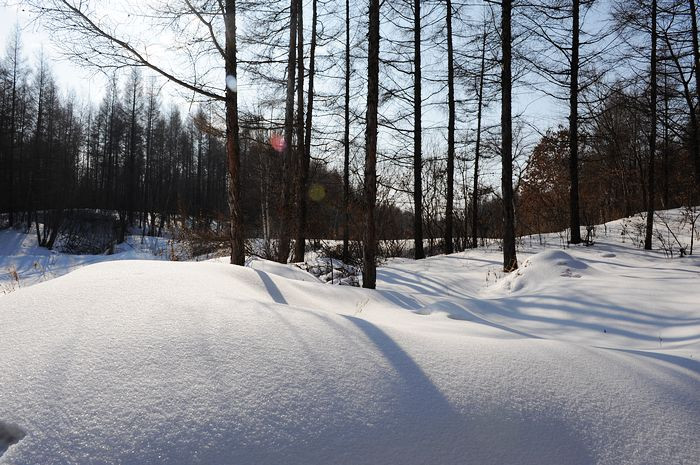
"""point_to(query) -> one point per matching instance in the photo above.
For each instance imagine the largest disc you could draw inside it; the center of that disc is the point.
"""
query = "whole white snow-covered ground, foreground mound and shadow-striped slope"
(586, 355)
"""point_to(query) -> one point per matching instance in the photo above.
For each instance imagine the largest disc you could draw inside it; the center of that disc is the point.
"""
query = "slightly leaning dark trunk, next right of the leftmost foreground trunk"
(288, 161)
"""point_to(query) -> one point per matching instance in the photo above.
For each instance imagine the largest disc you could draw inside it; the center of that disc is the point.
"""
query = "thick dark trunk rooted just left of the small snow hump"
(510, 261)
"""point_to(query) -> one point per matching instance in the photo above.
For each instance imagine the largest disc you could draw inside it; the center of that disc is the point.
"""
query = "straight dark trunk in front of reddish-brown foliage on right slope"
(575, 222)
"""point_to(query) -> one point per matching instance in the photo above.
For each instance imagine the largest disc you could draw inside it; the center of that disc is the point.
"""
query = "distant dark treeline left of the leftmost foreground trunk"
(126, 155)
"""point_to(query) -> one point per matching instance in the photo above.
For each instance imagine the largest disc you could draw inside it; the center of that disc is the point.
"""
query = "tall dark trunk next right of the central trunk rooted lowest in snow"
(417, 139)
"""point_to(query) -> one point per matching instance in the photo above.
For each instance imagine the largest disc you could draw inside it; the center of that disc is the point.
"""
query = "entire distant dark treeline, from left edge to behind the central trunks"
(144, 163)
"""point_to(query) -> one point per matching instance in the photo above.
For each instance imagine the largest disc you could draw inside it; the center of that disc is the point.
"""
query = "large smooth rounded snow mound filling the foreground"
(203, 363)
